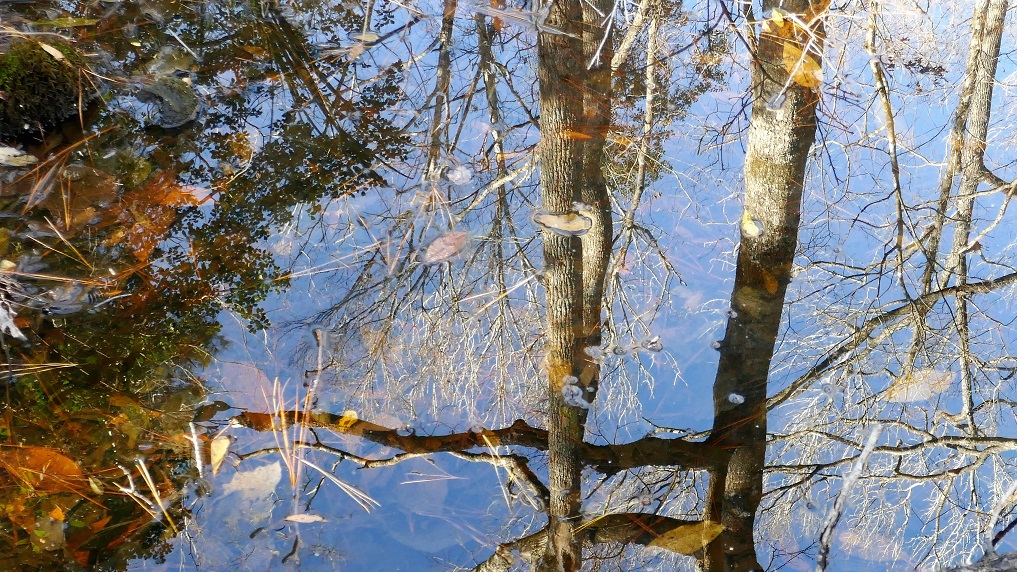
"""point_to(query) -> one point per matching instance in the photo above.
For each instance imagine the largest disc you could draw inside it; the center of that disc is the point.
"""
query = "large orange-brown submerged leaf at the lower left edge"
(43, 469)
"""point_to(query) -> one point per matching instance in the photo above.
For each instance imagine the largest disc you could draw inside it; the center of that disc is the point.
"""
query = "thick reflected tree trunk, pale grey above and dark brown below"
(782, 133)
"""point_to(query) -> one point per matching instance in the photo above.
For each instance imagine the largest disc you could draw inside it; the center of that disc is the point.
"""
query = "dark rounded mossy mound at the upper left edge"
(40, 91)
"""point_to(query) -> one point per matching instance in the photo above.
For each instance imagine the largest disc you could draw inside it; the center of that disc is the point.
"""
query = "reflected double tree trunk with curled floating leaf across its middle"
(575, 98)
